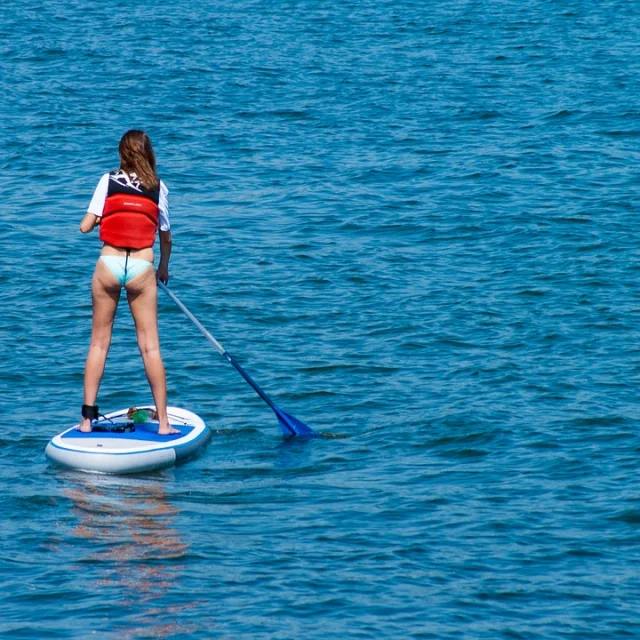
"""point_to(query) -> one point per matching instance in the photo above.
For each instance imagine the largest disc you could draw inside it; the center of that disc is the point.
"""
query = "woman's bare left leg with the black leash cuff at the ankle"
(105, 293)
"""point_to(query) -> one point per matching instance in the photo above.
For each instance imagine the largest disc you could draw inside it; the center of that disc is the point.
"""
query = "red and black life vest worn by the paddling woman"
(130, 215)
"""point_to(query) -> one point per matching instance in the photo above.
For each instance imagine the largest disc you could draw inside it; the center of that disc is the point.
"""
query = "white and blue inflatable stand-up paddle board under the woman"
(121, 443)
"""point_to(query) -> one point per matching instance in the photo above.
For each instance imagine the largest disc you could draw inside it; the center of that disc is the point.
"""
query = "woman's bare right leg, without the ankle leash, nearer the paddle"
(142, 294)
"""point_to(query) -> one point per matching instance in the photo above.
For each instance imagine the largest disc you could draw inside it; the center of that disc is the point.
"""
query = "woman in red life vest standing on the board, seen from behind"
(129, 204)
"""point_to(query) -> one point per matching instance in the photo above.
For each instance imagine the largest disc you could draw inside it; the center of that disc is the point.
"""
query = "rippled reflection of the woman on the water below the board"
(128, 525)
